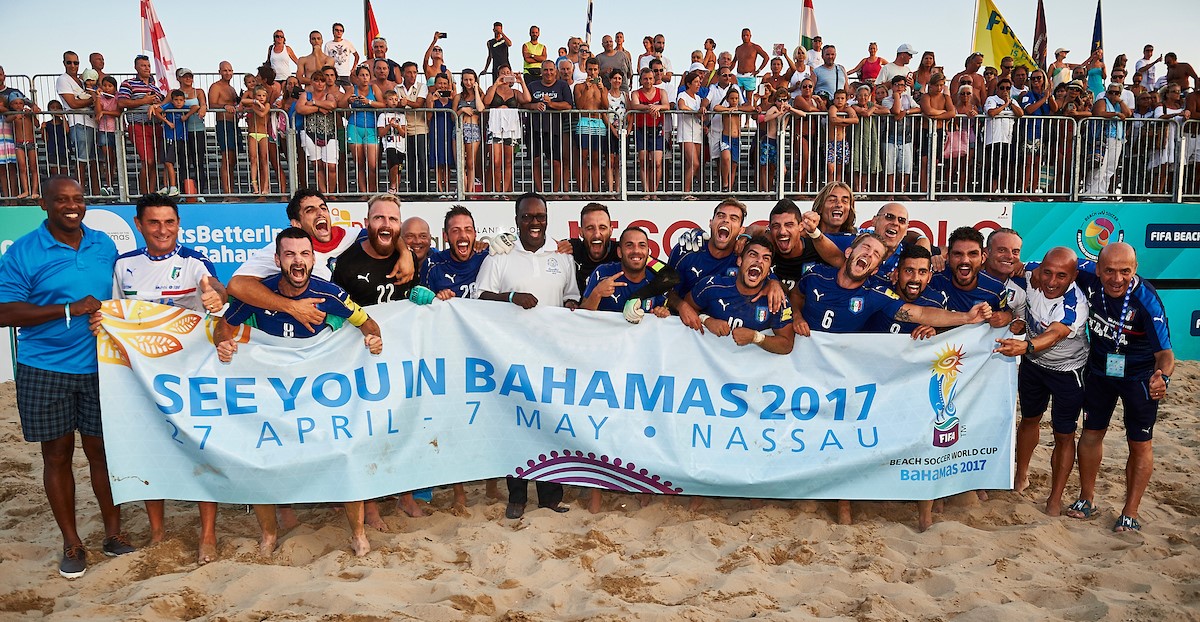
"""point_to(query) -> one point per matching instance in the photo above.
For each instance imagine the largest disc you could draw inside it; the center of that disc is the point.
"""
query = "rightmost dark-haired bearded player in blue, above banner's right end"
(965, 283)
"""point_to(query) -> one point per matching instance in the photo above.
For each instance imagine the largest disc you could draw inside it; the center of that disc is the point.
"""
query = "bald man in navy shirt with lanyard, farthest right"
(1131, 360)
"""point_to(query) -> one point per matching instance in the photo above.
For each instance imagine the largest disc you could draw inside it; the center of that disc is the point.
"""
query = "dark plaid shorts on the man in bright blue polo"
(53, 405)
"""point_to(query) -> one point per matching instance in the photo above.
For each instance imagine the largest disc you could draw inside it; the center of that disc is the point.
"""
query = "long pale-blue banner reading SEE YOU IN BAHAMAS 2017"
(470, 390)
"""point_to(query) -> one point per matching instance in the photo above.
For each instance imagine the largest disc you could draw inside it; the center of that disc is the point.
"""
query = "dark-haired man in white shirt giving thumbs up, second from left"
(169, 273)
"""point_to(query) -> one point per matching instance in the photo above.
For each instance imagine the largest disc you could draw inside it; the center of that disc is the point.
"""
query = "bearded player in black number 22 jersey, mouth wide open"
(362, 272)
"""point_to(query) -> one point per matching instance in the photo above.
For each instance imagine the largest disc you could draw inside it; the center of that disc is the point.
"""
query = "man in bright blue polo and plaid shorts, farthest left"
(51, 280)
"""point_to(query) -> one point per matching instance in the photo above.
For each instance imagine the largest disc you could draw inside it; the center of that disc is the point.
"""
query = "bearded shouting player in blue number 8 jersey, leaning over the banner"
(296, 260)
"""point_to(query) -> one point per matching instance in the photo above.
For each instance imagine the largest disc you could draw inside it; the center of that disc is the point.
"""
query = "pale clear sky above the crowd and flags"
(205, 33)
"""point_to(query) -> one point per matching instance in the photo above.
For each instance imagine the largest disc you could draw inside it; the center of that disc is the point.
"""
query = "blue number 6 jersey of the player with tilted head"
(831, 308)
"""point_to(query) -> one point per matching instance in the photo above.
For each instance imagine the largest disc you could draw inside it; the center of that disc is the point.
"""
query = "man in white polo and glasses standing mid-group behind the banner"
(531, 276)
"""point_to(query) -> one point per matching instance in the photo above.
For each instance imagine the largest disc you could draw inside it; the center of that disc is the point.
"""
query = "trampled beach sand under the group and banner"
(987, 561)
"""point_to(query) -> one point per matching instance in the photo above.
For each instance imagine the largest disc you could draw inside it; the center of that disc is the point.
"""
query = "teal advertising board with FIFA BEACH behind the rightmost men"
(1167, 237)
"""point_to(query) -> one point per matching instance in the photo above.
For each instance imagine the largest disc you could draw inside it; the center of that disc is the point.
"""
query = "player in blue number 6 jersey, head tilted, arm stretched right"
(838, 301)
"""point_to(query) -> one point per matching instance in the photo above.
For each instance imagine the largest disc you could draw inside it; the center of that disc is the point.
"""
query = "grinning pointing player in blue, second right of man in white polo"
(613, 285)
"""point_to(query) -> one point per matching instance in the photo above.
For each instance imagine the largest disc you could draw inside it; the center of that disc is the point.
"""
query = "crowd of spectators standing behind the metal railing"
(728, 122)
